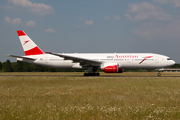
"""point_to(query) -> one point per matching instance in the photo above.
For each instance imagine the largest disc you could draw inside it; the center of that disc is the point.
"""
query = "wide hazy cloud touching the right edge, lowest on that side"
(158, 30)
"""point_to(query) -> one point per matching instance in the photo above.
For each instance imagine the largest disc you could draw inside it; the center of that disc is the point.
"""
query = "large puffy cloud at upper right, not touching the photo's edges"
(146, 11)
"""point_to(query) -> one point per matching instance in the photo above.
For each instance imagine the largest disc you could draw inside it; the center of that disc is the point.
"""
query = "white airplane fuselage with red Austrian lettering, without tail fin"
(125, 60)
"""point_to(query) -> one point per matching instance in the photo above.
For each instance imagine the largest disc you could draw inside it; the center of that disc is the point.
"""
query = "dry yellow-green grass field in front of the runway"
(69, 98)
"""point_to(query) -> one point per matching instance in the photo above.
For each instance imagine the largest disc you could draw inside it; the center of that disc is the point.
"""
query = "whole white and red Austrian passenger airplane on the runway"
(108, 62)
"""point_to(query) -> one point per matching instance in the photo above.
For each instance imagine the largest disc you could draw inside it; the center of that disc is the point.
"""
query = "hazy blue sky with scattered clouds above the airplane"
(92, 26)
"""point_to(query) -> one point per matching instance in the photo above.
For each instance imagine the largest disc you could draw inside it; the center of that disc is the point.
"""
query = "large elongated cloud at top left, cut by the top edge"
(37, 8)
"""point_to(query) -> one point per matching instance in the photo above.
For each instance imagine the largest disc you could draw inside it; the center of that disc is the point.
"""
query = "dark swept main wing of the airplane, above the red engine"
(82, 61)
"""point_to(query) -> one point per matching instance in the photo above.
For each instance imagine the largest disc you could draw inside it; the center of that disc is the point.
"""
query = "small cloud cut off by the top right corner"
(176, 3)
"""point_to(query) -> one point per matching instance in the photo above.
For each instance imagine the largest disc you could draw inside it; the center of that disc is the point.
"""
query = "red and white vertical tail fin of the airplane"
(30, 48)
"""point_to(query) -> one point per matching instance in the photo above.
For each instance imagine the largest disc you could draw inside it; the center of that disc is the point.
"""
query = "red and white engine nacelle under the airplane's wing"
(111, 68)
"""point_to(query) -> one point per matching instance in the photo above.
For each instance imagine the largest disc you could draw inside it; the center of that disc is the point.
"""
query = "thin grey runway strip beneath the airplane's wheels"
(83, 76)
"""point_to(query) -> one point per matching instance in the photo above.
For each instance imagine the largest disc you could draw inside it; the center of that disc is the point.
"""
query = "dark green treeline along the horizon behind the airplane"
(20, 66)
